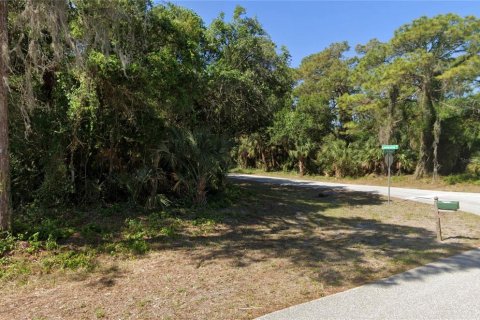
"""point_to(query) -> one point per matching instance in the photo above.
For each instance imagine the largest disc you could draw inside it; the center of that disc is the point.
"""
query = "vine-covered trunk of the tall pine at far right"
(424, 164)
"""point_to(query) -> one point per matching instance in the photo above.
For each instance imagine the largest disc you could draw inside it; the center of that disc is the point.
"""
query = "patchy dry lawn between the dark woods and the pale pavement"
(275, 246)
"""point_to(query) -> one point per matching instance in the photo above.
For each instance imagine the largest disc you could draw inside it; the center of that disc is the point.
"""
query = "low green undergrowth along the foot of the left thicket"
(61, 239)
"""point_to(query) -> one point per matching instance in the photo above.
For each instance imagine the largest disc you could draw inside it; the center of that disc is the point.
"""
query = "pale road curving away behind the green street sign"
(469, 201)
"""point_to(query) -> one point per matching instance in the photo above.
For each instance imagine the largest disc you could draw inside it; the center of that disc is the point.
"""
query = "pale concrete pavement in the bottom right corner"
(447, 289)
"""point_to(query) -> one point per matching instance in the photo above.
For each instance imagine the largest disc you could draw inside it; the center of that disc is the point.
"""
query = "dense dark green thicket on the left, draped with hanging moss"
(135, 114)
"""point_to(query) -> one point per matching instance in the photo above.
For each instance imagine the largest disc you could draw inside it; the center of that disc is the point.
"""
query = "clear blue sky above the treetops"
(307, 27)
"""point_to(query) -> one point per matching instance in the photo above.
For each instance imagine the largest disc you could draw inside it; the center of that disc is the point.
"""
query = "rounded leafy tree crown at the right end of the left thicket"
(248, 81)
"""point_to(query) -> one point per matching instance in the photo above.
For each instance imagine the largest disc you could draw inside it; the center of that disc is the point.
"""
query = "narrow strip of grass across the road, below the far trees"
(459, 183)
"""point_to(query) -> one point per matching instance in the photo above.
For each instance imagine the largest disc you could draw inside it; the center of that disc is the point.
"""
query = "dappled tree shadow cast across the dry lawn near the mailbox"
(288, 221)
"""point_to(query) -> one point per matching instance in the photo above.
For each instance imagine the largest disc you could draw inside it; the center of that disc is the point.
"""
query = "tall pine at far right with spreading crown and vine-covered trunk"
(424, 53)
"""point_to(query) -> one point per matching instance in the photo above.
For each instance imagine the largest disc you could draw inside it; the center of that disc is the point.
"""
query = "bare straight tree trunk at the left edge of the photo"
(5, 211)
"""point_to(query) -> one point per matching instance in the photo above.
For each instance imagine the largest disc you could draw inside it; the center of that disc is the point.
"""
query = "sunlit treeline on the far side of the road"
(420, 90)
